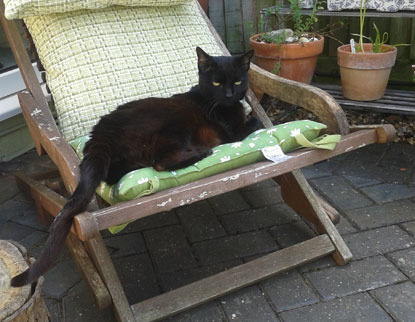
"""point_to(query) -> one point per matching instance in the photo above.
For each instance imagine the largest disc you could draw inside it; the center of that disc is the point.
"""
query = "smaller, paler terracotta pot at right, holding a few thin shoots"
(364, 76)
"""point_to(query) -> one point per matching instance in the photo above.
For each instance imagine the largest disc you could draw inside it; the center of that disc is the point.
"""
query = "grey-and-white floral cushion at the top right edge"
(379, 5)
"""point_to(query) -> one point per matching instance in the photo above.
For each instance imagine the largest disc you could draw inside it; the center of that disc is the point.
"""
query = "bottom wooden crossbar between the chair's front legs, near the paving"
(231, 280)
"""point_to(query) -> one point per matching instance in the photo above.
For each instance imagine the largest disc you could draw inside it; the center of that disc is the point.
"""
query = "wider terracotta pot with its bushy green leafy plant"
(290, 53)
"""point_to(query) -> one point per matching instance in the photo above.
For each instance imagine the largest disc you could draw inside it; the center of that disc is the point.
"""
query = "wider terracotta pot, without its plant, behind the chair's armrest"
(297, 61)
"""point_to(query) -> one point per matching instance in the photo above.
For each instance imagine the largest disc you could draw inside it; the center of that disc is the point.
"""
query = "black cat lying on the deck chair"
(163, 133)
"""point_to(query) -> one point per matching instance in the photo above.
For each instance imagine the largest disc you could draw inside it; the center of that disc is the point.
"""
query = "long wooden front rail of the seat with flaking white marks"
(214, 185)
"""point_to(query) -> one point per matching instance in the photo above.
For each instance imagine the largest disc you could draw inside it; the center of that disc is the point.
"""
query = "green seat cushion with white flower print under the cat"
(288, 136)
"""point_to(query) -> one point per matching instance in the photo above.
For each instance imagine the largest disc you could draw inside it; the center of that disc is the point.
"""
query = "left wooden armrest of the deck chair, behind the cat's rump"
(46, 135)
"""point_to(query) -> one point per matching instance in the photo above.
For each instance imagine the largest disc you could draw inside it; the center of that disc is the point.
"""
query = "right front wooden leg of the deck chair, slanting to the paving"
(298, 194)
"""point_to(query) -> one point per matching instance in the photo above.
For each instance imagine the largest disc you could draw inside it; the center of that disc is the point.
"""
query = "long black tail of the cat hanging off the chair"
(93, 170)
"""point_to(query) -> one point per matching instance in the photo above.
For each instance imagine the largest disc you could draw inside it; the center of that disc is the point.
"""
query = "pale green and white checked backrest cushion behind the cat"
(97, 59)
